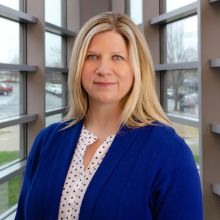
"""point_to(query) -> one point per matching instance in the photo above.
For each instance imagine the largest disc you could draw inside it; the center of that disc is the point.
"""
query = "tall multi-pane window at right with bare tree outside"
(179, 81)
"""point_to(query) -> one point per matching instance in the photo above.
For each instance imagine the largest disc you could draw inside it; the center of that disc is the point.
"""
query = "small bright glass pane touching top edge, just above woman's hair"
(136, 11)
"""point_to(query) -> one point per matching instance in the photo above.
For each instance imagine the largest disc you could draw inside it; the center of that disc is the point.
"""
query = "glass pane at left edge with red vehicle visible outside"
(10, 94)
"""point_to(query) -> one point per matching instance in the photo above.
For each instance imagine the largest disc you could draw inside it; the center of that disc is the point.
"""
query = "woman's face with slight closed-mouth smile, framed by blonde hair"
(107, 76)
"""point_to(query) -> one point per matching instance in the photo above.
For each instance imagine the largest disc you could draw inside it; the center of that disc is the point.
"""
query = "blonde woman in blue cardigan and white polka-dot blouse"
(116, 155)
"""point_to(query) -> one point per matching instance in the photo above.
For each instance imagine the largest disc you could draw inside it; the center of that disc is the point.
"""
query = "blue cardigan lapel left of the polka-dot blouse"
(64, 150)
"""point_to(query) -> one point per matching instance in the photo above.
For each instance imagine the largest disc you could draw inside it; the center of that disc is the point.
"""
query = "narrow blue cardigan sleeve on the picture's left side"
(31, 166)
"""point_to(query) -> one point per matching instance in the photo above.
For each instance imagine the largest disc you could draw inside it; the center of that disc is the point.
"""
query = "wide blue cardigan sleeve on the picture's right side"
(178, 195)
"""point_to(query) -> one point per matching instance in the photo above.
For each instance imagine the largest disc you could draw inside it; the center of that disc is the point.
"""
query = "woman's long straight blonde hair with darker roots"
(141, 106)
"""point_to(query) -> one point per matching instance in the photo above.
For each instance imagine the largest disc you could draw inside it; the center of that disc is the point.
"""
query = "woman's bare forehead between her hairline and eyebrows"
(108, 39)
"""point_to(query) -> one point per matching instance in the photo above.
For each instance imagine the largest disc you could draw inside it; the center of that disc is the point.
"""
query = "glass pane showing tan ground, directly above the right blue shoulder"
(191, 136)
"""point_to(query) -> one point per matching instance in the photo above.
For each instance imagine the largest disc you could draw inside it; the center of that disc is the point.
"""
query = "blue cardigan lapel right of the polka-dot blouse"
(118, 148)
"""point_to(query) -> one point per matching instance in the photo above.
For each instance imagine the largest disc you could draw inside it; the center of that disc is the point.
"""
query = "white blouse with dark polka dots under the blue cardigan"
(78, 178)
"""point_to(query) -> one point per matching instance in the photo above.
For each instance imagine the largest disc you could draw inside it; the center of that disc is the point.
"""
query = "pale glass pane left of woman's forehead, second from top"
(53, 50)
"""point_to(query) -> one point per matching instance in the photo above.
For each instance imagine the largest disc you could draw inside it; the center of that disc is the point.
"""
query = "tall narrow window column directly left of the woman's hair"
(56, 59)
